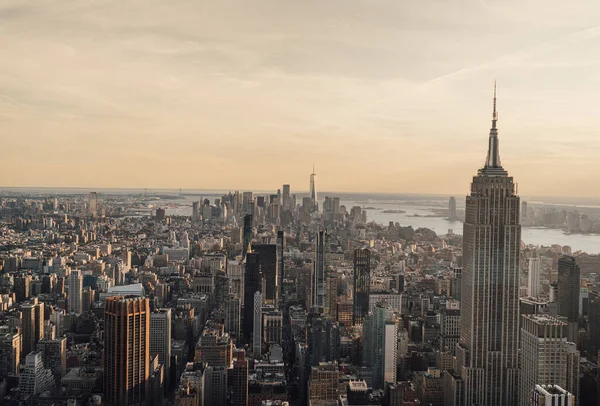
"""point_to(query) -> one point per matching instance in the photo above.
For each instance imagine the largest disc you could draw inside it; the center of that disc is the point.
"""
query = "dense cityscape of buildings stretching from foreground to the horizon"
(284, 299)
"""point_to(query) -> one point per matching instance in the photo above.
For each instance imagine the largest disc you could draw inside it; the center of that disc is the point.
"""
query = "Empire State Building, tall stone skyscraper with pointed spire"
(487, 352)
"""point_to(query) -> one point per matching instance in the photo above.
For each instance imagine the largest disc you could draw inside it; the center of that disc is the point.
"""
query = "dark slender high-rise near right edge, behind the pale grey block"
(569, 288)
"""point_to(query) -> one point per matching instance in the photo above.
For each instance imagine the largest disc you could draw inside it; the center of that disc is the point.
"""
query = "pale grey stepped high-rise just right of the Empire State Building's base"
(546, 357)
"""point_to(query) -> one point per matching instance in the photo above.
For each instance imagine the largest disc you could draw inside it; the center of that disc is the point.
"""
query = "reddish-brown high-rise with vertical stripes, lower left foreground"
(126, 351)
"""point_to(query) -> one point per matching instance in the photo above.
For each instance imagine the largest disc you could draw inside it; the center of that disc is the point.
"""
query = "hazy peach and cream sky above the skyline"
(381, 95)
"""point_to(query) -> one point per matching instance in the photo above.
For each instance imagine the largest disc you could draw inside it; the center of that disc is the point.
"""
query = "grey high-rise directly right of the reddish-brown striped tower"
(160, 339)
